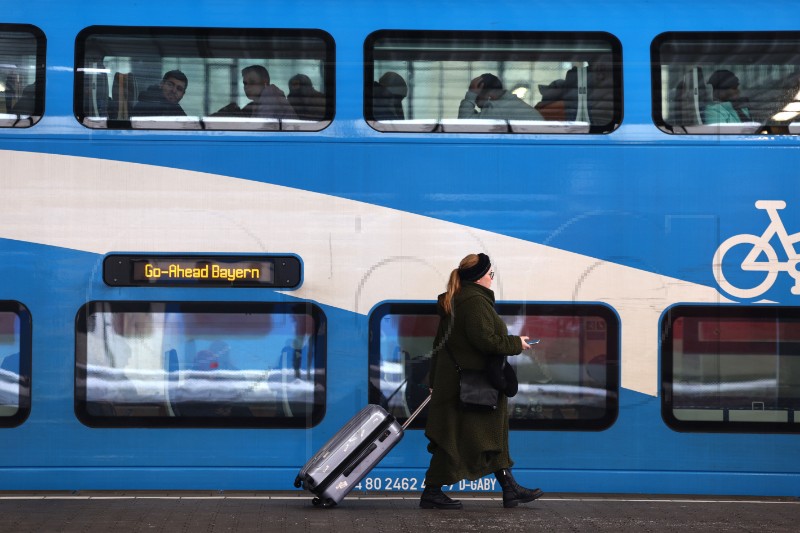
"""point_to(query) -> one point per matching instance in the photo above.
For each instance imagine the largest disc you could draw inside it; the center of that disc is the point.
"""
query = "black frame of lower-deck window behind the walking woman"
(548, 309)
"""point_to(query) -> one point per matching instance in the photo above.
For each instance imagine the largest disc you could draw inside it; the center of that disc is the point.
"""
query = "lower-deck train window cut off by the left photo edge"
(15, 363)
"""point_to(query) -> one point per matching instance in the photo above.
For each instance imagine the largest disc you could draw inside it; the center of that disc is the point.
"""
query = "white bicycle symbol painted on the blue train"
(760, 244)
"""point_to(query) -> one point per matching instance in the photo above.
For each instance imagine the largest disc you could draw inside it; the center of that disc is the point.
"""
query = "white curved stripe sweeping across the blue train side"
(355, 254)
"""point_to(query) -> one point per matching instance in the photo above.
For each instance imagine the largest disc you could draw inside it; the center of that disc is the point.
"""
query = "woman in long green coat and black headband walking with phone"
(469, 444)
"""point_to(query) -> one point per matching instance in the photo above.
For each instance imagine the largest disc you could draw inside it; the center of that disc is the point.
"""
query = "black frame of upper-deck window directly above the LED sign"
(206, 34)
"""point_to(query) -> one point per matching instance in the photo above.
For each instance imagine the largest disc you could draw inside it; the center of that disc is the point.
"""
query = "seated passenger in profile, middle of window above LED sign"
(267, 100)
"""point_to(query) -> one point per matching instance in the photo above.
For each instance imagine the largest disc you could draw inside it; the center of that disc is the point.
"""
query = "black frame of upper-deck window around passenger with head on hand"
(495, 126)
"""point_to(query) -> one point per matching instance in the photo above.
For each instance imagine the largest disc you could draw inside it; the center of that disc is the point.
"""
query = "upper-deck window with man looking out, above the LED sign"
(204, 79)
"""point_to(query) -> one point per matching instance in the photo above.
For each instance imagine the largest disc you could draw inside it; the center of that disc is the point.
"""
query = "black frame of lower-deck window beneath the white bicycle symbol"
(754, 312)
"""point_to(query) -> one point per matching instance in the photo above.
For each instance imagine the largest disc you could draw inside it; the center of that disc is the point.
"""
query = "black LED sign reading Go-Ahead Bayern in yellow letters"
(208, 271)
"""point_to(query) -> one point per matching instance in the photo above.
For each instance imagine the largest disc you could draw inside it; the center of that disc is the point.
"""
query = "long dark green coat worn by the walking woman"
(467, 445)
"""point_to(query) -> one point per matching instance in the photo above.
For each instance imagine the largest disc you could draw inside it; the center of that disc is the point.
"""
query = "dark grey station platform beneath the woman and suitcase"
(385, 512)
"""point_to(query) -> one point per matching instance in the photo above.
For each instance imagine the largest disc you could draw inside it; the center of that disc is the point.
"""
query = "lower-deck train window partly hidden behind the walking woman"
(570, 381)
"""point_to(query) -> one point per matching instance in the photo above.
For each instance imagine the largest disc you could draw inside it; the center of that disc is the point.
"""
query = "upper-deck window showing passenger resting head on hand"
(493, 82)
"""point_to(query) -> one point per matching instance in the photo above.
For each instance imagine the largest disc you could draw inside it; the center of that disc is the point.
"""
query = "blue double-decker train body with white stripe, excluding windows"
(628, 220)
